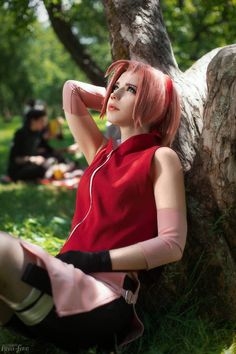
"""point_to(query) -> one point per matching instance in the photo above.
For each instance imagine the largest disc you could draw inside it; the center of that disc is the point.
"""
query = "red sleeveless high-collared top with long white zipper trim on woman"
(115, 205)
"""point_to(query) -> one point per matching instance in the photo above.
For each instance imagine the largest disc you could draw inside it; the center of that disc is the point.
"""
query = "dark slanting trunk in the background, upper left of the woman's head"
(64, 32)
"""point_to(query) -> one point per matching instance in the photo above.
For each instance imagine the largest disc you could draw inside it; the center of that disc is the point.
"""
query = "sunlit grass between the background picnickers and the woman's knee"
(38, 214)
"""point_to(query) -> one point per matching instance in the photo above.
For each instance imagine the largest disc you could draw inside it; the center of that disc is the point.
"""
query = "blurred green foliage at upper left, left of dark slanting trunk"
(33, 63)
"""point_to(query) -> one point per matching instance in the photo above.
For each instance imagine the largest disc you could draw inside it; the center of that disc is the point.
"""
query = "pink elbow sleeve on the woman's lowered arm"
(168, 246)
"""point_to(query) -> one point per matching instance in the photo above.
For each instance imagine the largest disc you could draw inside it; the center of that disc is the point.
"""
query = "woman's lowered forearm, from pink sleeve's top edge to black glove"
(165, 248)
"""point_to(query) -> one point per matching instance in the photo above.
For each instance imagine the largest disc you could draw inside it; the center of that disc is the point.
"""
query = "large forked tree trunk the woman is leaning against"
(206, 144)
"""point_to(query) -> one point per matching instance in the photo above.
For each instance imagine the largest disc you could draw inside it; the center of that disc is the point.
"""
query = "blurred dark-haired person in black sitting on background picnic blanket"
(31, 157)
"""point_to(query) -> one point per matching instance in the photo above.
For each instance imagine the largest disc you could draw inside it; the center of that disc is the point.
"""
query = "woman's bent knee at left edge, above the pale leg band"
(13, 261)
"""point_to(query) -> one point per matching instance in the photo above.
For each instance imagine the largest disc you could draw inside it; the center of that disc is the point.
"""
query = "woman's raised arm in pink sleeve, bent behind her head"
(77, 98)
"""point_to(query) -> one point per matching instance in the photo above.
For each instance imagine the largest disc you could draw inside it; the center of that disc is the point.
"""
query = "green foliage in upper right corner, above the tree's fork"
(195, 27)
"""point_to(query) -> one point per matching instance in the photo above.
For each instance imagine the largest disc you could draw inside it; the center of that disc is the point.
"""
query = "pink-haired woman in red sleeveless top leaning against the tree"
(129, 216)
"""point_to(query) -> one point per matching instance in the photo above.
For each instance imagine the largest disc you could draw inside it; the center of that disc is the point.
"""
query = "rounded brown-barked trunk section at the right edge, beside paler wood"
(219, 138)
